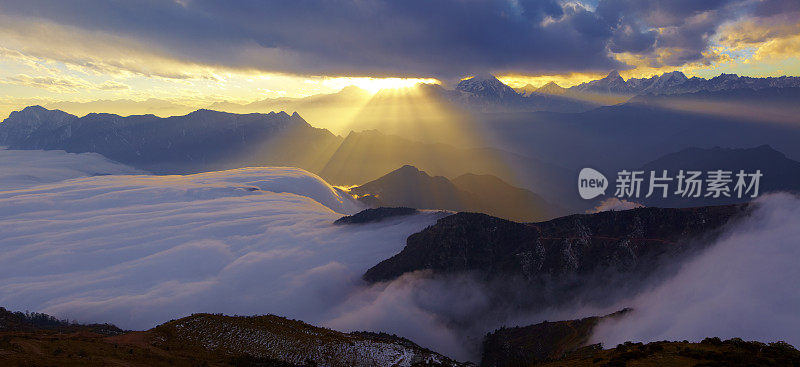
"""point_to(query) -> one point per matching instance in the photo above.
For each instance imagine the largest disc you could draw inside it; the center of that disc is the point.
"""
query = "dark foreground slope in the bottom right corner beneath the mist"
(564, 344)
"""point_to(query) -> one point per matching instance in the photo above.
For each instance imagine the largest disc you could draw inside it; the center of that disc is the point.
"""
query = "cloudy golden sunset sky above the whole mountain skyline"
(197, 52)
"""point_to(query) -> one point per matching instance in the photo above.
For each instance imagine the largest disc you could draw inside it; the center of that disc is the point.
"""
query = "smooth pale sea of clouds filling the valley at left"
(138, 250)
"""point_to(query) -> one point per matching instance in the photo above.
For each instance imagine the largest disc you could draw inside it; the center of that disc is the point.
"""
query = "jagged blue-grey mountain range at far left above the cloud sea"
(200, 141)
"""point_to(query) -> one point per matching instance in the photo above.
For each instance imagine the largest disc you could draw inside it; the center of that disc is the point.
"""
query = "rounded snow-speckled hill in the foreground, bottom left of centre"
(291, 341)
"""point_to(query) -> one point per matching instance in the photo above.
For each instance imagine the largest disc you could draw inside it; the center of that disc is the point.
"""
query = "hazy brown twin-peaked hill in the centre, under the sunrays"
(410, 187)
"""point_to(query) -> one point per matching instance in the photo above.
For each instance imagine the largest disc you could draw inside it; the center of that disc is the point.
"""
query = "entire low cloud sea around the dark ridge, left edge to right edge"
(88, 239)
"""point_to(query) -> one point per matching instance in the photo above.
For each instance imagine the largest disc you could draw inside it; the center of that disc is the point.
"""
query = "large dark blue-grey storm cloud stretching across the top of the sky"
(444, 38)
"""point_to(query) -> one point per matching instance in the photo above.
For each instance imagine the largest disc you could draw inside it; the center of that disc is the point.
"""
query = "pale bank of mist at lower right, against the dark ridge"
(744, 286)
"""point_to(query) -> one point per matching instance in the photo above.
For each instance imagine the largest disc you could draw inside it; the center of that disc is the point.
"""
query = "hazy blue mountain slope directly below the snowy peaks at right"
(629, 135)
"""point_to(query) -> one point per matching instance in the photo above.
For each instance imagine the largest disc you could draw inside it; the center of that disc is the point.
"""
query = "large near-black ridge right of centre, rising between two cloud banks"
(561, 258)
